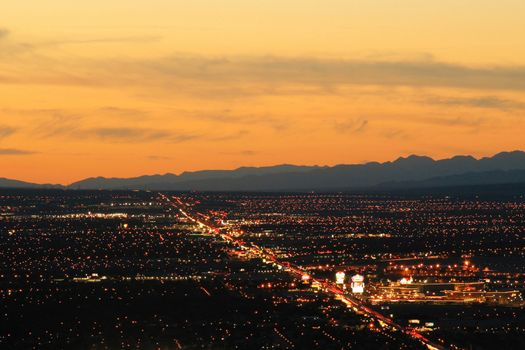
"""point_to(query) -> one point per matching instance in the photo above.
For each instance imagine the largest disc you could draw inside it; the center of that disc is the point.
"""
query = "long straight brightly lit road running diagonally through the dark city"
(329, 287)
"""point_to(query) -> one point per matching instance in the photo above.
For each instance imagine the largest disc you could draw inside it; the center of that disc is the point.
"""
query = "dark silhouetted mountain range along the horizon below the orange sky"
(409, 172)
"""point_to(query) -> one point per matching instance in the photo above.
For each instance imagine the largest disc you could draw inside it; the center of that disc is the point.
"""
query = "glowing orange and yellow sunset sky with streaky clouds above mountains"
(123, 88)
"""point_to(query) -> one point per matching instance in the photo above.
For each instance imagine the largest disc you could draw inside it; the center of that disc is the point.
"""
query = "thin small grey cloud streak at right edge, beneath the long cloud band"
(478, 102)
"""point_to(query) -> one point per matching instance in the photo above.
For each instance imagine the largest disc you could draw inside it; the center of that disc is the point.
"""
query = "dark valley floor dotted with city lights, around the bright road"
(125, 270)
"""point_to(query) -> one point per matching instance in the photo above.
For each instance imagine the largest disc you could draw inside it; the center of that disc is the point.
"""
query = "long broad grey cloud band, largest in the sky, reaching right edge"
(322, 73)
